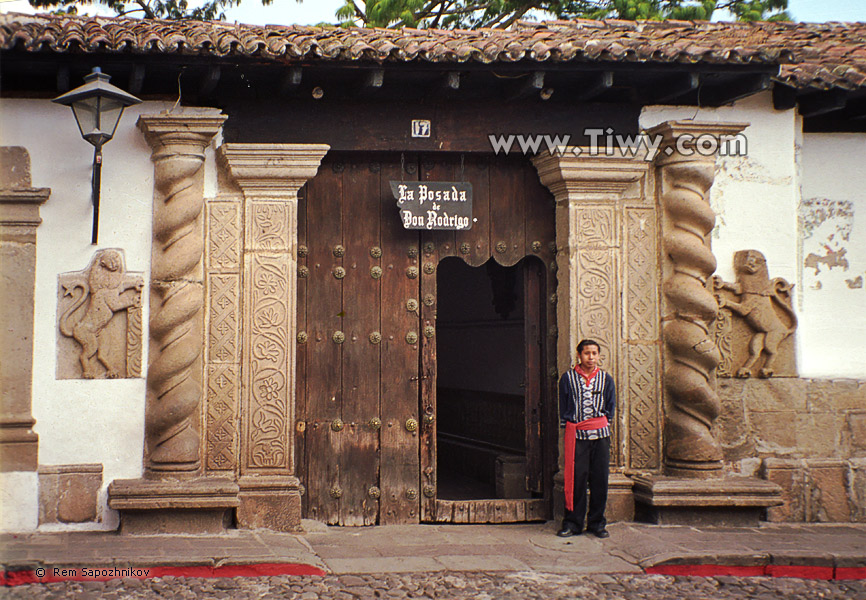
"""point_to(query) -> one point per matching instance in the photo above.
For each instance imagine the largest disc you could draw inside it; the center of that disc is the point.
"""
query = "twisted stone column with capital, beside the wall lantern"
(174, 378)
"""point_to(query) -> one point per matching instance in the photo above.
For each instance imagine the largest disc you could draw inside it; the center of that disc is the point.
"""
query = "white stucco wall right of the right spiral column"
(757, 199)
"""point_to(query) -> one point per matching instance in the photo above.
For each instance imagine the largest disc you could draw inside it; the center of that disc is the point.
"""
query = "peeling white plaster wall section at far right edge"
(832, 274)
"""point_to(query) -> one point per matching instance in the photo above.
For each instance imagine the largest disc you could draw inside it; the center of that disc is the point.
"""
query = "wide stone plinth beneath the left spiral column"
(191, 506)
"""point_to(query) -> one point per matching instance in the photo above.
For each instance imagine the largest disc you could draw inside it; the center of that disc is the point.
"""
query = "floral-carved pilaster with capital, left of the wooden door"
(269, 176)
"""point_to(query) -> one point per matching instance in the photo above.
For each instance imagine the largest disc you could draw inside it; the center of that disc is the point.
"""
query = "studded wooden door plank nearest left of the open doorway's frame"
(399, 455)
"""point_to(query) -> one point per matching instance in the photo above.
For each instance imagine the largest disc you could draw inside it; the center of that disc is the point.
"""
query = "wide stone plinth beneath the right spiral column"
(726, 501)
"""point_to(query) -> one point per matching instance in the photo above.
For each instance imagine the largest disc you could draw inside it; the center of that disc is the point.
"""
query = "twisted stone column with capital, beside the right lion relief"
(691, 356)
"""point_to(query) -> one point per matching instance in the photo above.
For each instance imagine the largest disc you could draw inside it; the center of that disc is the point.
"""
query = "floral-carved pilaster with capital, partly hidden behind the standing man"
(591, 193)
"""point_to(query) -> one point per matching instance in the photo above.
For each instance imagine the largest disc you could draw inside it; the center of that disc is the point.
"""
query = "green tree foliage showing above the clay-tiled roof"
(452, 14)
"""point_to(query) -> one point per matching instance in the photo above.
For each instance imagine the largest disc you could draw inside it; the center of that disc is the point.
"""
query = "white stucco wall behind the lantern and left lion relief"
(82, 421)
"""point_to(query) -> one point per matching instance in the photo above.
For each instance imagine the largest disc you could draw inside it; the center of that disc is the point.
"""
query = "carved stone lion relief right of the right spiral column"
(755, 322)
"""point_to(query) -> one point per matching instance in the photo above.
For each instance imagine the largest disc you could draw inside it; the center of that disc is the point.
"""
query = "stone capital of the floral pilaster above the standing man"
(575, 174)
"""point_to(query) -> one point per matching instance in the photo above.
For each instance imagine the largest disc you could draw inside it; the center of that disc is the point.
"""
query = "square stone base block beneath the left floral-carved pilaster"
(270, 502)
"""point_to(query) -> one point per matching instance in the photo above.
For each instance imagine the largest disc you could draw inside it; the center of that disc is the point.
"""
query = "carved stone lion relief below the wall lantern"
(99, 320)
